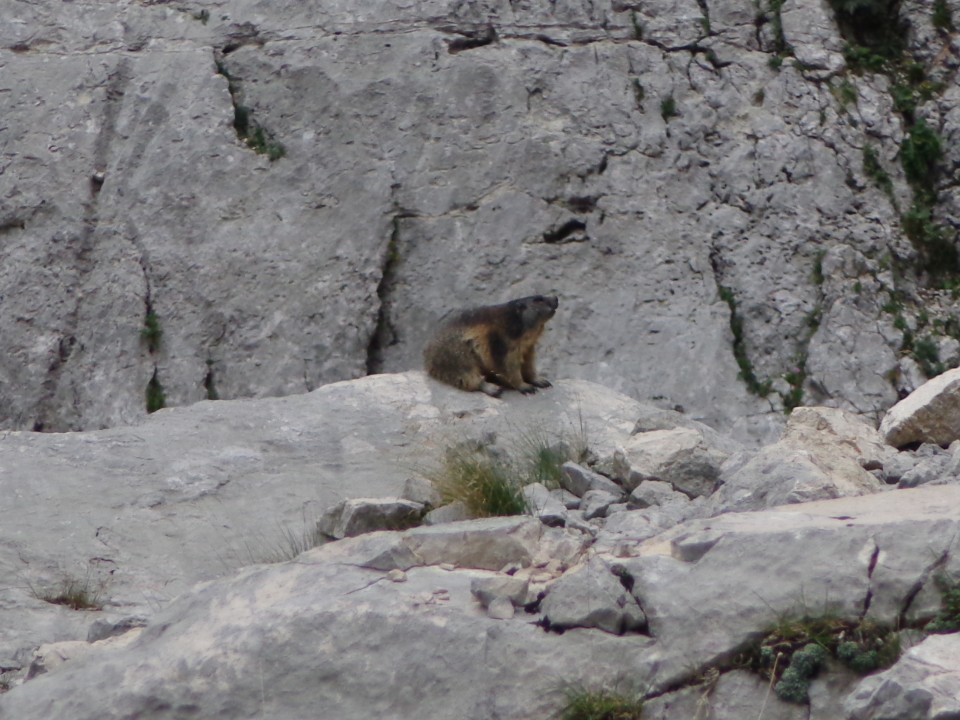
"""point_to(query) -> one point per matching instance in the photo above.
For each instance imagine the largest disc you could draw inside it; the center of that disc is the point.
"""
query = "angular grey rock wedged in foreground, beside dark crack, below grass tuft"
(592, 596)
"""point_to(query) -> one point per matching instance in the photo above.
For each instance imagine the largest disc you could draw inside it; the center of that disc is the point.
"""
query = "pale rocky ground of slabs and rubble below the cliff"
(659, 565)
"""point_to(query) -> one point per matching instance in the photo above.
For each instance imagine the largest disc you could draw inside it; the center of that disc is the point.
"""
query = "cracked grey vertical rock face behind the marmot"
(645, 162)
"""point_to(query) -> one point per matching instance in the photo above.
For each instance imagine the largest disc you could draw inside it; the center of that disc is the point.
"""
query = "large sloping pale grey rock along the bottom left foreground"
(357, 631)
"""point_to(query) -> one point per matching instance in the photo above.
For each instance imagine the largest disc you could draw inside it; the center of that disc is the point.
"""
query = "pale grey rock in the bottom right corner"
(923, 685)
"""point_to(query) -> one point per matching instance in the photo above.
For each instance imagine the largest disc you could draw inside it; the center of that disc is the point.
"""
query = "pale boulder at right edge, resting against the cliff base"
(930, 414)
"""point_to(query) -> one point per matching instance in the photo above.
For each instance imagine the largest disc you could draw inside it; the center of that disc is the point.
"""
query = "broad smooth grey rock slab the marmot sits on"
(142, 513)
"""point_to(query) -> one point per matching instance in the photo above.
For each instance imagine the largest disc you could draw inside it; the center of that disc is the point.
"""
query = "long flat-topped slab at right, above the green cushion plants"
(732, 576)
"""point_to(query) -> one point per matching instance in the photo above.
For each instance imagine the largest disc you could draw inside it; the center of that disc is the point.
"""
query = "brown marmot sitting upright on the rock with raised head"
(493, 347)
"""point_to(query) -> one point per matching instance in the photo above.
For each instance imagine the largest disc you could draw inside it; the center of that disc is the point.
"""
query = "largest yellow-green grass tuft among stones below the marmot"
(485, 482)
